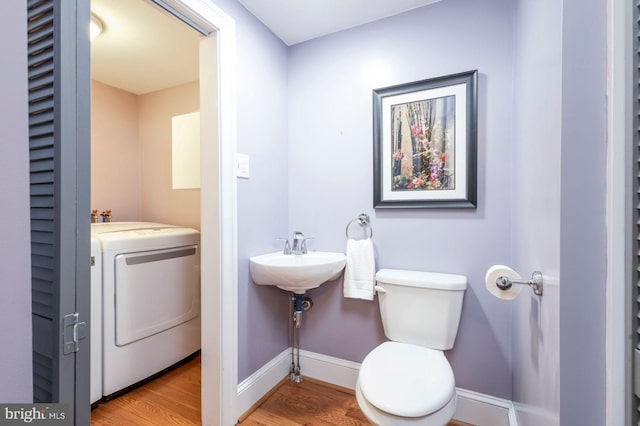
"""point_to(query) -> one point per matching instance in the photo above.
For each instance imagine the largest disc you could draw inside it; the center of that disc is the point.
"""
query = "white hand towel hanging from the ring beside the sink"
(360, 270)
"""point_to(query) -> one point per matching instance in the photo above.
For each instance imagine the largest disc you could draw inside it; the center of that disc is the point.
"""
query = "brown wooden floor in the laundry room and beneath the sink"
(174, 399)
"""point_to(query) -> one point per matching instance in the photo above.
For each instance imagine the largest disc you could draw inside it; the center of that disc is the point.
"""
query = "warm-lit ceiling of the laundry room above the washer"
(142, 49)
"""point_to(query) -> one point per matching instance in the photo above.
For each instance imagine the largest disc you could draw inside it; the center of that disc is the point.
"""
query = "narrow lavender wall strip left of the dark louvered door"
(15, 303)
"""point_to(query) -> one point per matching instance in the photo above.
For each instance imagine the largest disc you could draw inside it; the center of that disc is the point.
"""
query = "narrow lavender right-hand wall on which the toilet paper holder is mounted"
(535, 207)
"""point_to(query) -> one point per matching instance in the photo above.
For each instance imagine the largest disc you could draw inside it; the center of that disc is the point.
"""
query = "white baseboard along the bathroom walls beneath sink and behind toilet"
(473, 407)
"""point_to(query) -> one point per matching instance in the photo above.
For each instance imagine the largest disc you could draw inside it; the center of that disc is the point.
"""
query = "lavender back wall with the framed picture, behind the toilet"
(330, 174)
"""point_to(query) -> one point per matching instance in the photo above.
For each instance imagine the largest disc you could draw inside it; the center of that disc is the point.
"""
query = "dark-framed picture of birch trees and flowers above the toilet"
(425, 143)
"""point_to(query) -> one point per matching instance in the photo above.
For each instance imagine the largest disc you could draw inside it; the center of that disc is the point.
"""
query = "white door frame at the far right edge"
(618, 85)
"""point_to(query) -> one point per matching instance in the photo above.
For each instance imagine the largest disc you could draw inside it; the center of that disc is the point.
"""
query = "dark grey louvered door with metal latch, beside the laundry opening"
(59, 136)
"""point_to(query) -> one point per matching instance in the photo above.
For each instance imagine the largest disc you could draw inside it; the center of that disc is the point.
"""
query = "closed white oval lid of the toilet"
(406, 380)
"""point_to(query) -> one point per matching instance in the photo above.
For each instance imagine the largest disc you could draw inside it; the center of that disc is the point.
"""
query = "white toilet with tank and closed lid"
(408, 380)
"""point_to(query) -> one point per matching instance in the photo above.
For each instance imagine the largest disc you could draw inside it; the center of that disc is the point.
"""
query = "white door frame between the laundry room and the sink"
(219, 276)
